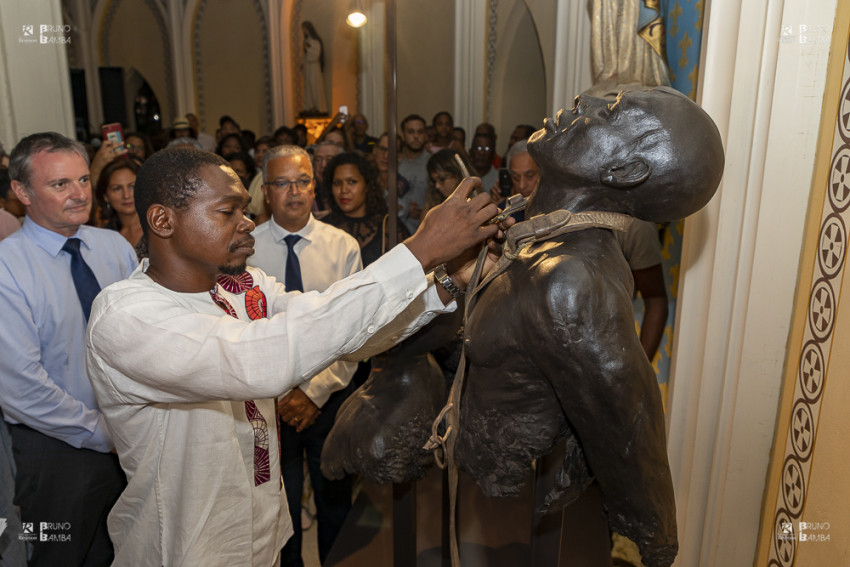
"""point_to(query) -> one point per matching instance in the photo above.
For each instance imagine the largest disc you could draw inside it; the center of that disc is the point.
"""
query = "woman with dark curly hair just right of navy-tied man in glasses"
(357, 204)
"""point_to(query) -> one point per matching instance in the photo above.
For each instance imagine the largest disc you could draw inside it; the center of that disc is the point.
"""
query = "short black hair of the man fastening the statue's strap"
(171, 177)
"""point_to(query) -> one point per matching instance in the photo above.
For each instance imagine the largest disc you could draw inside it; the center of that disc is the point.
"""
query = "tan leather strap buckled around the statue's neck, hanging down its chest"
(518, 237)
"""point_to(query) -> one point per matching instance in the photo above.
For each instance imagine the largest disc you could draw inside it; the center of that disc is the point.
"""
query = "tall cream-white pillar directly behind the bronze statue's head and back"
(739, 270)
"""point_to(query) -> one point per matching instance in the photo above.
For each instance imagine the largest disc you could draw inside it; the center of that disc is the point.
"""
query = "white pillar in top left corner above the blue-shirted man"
(35, 86)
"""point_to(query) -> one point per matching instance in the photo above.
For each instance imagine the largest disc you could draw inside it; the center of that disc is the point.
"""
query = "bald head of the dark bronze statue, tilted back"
(651, 153)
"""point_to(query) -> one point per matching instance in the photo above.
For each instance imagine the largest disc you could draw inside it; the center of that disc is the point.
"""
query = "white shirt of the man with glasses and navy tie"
(326, 254)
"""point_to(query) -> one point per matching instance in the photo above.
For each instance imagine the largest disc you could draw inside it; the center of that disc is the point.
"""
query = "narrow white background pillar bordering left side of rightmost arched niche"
(471, 17)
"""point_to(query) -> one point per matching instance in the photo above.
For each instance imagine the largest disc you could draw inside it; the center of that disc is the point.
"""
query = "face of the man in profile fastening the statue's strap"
(212, 235)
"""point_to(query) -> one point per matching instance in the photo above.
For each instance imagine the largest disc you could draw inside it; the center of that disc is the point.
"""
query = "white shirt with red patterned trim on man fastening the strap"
(171, 370)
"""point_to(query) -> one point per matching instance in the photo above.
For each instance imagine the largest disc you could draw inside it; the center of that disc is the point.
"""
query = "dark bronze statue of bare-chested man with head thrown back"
(549, 341)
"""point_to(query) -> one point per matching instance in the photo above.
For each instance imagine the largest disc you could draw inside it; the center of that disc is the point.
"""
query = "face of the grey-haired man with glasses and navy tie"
(290, 205)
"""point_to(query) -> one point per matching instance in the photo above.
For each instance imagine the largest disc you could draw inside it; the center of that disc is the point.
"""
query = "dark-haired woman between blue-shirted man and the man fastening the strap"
(114, 192)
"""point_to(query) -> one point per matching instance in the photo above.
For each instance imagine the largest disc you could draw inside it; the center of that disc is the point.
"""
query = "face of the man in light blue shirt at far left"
(60, 197)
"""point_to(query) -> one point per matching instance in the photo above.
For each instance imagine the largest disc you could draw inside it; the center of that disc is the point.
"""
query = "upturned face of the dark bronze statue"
(597, 132)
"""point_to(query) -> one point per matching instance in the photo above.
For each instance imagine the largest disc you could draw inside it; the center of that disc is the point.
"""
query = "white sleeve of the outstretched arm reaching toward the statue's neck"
(147, 344)
